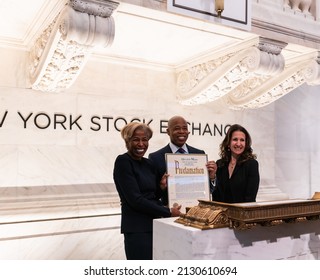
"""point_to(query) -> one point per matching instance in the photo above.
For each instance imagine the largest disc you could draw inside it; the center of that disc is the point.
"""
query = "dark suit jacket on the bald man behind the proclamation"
(159, 161)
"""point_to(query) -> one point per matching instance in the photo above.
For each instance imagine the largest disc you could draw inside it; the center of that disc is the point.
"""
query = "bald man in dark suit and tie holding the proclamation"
(178, 132)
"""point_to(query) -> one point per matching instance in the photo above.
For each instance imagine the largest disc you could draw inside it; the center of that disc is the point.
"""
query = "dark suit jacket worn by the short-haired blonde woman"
(138, 187)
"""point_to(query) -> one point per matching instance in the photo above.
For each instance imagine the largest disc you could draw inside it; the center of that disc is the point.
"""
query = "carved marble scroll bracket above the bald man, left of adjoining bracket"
(236, 73)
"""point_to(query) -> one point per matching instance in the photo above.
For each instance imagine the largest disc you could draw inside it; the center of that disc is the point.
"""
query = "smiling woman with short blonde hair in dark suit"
(139, 190)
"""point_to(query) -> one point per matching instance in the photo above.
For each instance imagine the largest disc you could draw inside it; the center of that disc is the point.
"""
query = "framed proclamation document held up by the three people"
(188, 179)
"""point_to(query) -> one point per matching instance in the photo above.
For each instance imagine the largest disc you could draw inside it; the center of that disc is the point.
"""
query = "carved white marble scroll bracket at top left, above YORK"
(62, 50)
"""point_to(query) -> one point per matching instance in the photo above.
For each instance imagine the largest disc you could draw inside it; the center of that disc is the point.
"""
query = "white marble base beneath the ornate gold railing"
(173, 241)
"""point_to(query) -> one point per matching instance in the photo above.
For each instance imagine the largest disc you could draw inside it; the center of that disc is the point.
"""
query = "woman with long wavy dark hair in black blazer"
(237, 176)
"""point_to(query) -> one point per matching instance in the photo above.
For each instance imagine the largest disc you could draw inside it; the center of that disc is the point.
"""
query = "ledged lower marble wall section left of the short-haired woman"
(68, 222)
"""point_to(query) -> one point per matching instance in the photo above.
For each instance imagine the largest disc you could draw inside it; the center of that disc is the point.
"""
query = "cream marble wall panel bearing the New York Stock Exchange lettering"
(73, 137)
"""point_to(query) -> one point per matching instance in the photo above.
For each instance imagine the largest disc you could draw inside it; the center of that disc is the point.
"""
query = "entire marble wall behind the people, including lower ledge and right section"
(57, 153)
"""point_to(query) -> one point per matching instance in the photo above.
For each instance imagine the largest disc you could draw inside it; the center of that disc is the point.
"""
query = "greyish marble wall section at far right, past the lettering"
(297, 146)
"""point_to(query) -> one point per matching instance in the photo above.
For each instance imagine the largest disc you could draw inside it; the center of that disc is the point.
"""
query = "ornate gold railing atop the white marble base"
(212, 214)
